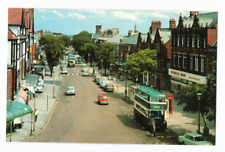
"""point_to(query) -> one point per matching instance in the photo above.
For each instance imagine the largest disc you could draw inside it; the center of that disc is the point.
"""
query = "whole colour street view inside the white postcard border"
(153, 85)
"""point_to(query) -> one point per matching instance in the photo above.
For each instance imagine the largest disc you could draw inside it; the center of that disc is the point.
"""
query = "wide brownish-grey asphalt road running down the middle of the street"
(80, 119)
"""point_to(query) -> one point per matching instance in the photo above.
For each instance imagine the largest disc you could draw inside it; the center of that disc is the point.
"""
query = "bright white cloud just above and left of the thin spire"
(125, 15)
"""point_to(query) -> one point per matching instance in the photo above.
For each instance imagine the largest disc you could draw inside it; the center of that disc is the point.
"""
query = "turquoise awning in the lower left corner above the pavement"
(16, 109)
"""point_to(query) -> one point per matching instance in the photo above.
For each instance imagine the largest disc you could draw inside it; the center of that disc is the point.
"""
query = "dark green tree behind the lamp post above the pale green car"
(187, 96)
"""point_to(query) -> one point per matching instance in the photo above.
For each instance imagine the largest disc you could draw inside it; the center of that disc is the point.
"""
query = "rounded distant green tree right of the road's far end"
(79, 40)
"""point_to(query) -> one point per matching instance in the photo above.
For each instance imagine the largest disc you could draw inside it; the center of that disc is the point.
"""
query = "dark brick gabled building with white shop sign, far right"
(194, 48)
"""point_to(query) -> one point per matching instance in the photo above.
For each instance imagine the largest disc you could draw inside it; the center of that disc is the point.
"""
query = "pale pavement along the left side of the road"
(44, 103)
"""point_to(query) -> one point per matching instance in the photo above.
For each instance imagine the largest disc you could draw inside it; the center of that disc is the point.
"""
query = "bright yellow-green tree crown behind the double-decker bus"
(142, 62)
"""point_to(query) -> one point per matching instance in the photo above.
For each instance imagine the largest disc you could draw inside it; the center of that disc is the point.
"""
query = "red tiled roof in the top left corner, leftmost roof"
(15, 16)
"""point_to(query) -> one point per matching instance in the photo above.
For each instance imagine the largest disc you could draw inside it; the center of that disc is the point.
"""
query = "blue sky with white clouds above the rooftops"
(73, 21)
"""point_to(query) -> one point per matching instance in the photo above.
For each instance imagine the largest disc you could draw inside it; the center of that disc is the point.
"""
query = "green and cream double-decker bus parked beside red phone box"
(150, 105)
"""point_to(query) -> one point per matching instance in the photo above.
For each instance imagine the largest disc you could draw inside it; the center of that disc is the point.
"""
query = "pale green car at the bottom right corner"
(193, 139)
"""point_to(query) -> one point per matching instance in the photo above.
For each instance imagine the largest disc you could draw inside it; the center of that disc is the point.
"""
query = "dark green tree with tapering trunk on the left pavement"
(53, 47)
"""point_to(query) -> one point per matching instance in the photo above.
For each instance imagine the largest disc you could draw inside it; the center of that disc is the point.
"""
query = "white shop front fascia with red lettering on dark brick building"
(180, 78)
